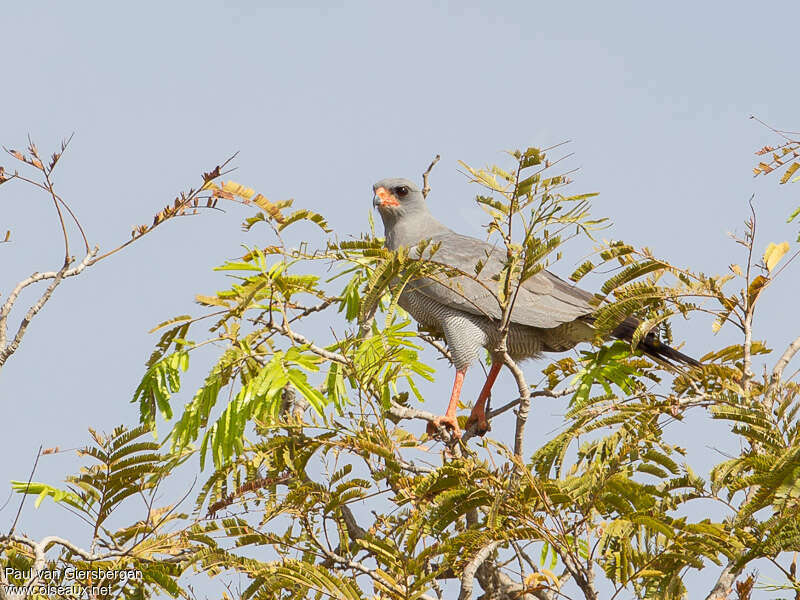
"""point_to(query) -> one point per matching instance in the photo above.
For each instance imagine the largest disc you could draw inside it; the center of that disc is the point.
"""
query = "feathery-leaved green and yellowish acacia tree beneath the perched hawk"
(317, 485)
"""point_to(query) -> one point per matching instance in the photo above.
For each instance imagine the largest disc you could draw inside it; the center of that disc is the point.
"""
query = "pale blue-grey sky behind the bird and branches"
(321, 100)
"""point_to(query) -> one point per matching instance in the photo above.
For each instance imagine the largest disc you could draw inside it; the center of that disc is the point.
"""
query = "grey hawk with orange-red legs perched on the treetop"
(548, 315)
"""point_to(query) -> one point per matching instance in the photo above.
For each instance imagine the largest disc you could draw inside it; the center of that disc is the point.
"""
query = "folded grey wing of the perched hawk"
(544, 300)
